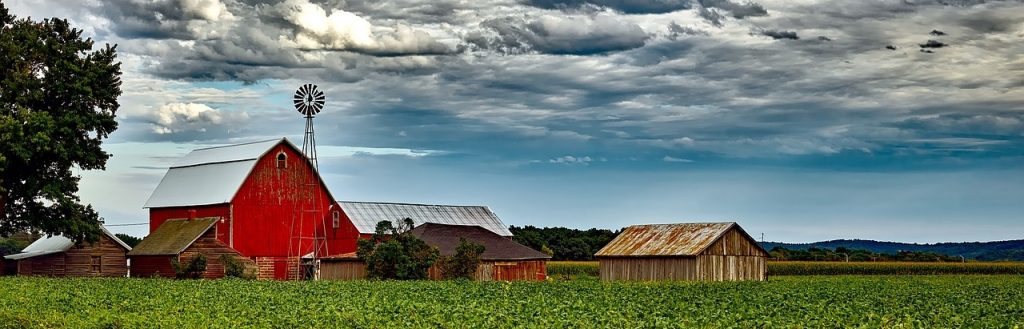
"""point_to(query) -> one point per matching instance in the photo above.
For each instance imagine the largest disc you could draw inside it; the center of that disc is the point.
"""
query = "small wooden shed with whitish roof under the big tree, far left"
(59, 257)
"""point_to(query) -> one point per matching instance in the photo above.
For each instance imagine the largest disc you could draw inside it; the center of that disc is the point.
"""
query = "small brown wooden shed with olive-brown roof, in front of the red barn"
(182, 240)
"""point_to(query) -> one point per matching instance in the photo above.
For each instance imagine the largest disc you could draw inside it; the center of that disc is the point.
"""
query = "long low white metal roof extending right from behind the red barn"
(365, 216)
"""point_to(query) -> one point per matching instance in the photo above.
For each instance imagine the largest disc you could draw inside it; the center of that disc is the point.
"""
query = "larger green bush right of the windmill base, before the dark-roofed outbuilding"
(394, 253)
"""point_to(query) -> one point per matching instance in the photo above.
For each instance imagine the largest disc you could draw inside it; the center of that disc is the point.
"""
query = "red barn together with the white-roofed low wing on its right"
(273, 209)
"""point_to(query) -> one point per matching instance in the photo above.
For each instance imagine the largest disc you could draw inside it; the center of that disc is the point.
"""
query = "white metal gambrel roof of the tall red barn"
(211, 176)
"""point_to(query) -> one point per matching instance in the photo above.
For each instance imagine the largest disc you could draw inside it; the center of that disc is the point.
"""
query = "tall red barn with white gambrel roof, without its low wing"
(270, 203)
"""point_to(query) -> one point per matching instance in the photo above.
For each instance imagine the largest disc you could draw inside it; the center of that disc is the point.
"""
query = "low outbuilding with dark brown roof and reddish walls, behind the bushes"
(503, 260)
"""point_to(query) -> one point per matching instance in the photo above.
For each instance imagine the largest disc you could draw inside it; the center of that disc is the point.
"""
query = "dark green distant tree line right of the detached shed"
(841, 254)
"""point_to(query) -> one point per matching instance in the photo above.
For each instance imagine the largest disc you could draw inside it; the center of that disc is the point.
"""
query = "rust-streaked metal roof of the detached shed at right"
(686, 239)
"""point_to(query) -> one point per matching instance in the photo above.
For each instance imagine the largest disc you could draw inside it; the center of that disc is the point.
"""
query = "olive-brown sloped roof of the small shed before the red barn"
(174, 237)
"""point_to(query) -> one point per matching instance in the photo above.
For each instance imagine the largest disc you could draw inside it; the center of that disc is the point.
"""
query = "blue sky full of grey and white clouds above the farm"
(802, 120)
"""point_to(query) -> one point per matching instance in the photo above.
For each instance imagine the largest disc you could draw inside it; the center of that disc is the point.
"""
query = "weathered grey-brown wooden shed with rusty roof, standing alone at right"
(705, 252)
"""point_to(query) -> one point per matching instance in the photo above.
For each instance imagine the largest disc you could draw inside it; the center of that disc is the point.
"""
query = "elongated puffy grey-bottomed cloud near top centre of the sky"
(559, 35)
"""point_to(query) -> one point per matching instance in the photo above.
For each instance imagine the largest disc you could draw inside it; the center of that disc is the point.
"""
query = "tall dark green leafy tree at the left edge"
(58, 100)
